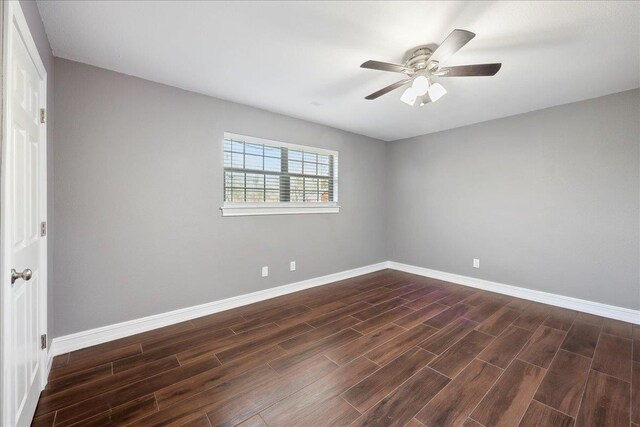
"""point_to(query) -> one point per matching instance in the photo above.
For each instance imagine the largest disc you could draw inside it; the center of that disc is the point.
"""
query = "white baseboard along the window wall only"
(72, 342)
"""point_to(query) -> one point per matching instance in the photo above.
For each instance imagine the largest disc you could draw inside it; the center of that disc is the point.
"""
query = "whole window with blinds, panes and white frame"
(263, 177)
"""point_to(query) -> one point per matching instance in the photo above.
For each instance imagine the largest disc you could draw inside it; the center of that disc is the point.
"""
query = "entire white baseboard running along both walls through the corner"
(103, 334)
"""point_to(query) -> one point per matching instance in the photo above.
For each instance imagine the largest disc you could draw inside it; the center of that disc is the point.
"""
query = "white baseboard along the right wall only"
(604, 310)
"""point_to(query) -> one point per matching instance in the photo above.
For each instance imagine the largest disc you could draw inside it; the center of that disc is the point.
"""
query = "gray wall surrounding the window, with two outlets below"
(138, 189)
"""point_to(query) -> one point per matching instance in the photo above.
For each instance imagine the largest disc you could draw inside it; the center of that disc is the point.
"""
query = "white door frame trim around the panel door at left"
(12, 14)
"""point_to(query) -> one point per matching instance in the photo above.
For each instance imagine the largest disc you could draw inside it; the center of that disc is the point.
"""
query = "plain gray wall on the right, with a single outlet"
(548, 200)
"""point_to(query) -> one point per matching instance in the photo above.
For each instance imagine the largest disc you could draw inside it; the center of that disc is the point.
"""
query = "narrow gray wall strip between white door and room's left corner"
(36, 27)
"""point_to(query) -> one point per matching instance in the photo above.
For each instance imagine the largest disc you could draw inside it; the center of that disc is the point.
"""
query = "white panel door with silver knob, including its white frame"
(23, 210)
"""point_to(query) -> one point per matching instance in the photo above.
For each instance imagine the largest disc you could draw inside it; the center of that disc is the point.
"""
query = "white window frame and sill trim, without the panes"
(282, 208)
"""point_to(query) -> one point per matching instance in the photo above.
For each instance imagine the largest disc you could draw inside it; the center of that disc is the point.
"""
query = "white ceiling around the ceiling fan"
(302, 58)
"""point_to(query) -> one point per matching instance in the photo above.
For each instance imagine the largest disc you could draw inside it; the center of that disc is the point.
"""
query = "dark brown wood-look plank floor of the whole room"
(383, 349)
